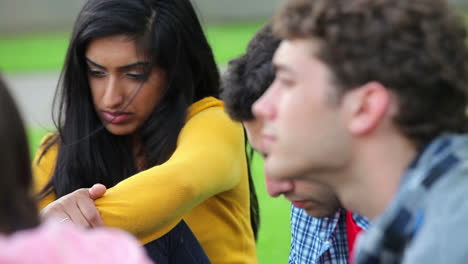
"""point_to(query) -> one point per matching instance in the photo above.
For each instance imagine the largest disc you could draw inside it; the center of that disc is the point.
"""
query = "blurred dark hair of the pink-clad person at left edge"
(17, 207)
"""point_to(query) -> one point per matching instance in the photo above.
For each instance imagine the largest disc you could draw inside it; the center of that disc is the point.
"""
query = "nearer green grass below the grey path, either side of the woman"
(274, 236)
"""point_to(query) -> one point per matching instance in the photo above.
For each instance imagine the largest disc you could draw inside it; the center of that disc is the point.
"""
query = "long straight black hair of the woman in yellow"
(168, 33)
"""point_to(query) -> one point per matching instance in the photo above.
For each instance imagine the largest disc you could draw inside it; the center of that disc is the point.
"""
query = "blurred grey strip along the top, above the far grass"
(58, 15)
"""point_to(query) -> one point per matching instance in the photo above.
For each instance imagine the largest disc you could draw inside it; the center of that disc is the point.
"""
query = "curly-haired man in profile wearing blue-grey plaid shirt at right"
(370, 99)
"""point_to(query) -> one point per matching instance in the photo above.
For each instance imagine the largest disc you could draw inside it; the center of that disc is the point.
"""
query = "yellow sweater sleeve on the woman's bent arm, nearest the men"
(208, 160)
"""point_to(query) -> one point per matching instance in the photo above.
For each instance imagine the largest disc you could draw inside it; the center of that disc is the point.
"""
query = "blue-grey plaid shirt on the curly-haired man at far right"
(392, 233)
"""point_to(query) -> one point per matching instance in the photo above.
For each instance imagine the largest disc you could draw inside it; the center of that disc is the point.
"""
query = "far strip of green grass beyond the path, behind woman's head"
(46, 51)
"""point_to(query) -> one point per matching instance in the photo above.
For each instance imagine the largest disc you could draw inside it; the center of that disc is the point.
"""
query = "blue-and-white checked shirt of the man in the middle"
(320, 240)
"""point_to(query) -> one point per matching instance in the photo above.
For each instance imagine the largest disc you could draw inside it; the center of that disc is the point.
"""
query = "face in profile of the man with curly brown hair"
(304, 133)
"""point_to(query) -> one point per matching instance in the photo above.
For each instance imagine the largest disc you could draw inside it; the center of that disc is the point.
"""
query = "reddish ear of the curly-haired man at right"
(367, 106)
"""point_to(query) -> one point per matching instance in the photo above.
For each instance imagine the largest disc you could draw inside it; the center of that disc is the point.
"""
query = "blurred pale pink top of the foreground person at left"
(54, 243)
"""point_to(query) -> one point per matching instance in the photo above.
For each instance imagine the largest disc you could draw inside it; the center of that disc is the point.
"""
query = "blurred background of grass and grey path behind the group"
(33, 41)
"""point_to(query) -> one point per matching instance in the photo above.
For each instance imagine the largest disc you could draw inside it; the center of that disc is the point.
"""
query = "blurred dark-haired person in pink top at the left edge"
(20, 232)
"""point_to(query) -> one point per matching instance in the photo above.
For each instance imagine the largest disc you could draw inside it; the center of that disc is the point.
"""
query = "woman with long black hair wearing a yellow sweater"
(137, 111)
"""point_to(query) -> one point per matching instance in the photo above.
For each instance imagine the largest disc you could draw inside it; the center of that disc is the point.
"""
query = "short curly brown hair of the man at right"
(415, 48)
